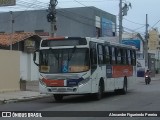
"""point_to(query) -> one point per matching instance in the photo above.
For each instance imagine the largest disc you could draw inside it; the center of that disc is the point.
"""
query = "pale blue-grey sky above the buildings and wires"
(134, 21)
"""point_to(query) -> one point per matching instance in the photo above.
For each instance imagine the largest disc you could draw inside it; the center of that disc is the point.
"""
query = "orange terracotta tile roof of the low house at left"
(5, 39)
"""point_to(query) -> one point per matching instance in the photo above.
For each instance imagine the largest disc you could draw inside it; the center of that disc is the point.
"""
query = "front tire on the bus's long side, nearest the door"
(99, 94)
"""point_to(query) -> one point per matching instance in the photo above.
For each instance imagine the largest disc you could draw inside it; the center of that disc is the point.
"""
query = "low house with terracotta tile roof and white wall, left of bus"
(26, 43)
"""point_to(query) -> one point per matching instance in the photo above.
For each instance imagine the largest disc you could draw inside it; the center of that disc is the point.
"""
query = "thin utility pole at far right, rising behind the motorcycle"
(146, 42)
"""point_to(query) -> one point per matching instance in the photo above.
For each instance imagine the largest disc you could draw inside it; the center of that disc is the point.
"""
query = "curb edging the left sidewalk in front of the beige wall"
(24, 99)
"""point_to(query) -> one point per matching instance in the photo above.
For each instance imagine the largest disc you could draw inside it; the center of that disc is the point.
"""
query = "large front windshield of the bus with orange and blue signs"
(71, 60)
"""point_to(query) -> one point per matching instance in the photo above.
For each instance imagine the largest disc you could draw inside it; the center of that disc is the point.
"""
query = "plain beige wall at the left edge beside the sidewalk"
(9, 70)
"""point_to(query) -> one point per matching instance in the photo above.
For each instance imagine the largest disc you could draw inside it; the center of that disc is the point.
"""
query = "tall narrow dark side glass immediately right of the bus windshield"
(93, 55)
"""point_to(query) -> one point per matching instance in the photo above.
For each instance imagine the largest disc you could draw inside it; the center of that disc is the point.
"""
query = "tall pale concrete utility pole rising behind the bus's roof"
(120, 21)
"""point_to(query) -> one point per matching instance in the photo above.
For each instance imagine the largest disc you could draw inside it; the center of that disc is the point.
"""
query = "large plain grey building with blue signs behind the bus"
(81, 21)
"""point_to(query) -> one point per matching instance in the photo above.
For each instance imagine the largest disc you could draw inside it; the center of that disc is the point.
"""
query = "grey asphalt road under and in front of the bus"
(141, 98)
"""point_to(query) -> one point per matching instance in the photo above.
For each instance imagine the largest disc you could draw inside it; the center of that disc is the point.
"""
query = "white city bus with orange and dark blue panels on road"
(79, 66)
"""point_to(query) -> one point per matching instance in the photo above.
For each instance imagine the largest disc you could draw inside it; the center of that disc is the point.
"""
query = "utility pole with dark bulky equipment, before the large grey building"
(51, 17)
